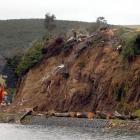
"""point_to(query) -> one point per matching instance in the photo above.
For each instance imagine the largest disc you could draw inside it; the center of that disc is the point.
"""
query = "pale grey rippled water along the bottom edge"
(40, 132)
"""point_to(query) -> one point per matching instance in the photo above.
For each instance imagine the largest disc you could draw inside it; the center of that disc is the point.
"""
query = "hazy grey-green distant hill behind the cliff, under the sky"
(16, 35)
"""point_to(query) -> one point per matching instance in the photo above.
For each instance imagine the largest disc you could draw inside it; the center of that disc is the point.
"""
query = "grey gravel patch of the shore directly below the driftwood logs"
(71, 122)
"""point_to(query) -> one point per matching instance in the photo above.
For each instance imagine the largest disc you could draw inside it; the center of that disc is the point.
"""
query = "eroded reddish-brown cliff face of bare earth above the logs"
(81, 77)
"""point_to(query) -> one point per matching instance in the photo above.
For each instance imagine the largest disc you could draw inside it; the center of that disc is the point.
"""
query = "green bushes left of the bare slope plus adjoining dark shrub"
(22, 63)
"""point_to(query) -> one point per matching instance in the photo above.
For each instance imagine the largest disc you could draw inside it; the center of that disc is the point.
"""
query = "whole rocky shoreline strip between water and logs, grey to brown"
(71, 122)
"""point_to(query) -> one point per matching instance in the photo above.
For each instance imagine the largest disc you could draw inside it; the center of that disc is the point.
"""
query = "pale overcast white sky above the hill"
(115, 11)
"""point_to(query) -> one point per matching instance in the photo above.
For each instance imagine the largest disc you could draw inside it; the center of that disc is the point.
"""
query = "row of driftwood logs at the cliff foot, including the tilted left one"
(89, 115)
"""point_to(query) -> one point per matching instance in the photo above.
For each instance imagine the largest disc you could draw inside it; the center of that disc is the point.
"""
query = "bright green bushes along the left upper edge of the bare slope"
(32, 57)
